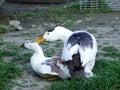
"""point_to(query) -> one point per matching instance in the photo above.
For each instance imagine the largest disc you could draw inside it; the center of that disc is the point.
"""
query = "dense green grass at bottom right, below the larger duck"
(107, 78)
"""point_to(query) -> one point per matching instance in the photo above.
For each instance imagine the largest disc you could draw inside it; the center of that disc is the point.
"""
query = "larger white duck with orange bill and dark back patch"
(79, 51)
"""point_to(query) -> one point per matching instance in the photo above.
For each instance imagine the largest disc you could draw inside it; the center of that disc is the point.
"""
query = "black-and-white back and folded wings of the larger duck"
(79, 42)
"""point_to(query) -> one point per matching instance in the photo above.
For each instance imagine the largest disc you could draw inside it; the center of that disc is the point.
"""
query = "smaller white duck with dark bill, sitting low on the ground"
(45, 66)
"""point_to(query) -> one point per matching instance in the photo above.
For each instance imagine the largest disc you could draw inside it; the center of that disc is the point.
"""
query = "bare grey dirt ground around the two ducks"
(105, 27)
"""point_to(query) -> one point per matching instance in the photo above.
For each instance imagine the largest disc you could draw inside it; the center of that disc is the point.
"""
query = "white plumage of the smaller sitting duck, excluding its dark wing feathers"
(38, 62)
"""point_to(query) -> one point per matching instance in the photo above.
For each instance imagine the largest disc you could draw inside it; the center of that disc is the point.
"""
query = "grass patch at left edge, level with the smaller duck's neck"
(11, 50)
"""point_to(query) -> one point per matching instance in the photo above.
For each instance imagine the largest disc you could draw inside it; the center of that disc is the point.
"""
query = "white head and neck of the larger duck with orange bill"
(58, 33)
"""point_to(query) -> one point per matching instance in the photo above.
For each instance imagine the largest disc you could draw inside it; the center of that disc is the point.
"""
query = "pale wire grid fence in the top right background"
(99, 4)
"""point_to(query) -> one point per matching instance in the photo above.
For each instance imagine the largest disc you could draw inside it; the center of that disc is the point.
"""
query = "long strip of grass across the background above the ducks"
(65, 15)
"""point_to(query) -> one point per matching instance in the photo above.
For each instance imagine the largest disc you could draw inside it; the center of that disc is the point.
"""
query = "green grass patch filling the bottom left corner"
(8, 71)
